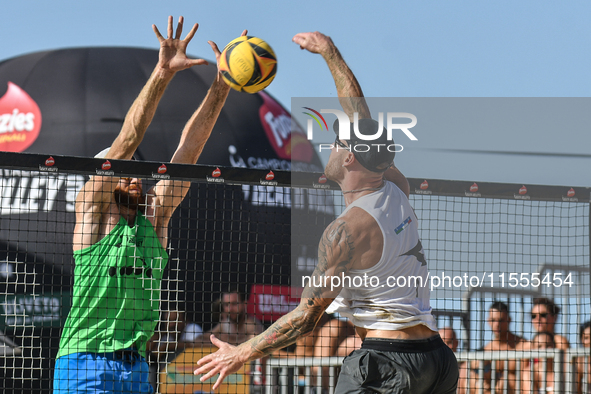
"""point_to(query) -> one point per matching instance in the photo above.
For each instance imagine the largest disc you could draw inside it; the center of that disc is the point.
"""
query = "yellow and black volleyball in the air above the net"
(248, 64)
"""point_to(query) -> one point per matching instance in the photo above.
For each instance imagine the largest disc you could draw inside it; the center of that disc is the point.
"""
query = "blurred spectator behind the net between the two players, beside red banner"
(235, 325)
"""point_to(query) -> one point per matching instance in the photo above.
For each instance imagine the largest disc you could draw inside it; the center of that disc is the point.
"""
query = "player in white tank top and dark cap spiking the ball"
(401, 351)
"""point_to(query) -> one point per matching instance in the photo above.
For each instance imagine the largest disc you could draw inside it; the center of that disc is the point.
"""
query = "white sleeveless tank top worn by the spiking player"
(385, 305)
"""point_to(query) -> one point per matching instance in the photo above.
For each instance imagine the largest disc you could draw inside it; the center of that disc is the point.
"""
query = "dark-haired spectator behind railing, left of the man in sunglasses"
(503, 339)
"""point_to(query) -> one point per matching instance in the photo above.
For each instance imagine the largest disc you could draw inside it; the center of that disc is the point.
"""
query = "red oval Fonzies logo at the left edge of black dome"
(20, 120)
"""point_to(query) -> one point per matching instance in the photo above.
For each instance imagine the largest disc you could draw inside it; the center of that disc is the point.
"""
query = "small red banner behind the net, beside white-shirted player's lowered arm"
(269, 302)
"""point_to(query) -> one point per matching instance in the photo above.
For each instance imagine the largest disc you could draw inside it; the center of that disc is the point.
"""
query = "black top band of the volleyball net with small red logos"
(266, 178)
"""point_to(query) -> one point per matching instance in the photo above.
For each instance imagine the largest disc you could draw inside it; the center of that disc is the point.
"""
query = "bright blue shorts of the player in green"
(124, 371)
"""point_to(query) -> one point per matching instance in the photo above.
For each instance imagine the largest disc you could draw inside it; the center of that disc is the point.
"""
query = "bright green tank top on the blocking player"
(116, 295)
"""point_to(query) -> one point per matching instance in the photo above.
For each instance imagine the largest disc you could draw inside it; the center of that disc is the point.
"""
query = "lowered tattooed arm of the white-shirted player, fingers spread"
(335, 256)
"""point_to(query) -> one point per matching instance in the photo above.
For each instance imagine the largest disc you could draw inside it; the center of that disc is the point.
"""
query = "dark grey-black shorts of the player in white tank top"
(399, 366)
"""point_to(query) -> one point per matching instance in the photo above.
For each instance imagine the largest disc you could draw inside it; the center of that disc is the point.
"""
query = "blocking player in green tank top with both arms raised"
(120, 241)
